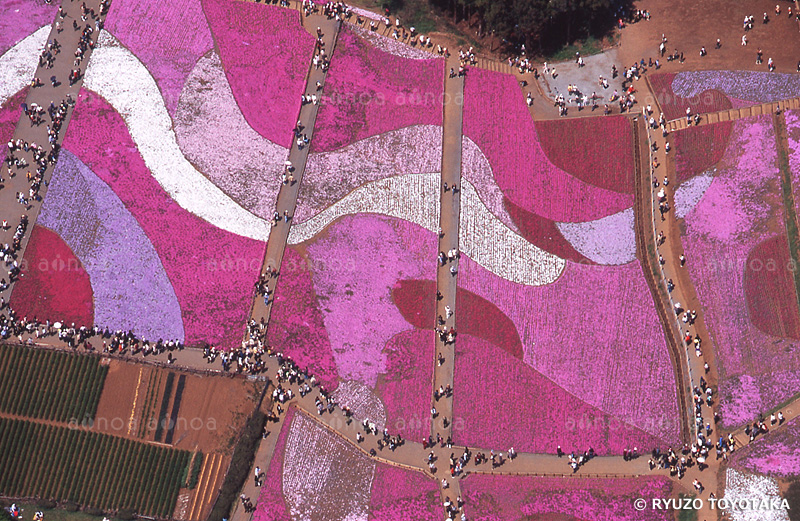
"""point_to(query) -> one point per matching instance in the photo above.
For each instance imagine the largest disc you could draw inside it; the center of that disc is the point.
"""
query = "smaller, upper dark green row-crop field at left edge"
(49, 385)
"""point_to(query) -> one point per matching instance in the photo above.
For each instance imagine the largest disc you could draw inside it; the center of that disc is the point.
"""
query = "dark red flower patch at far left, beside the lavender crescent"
(54, 284)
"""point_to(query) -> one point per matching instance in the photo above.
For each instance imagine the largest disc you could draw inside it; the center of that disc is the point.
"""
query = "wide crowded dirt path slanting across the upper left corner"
(15, 180)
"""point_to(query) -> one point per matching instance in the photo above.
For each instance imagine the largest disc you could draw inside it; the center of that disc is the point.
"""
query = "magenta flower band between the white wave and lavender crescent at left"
(212, 270)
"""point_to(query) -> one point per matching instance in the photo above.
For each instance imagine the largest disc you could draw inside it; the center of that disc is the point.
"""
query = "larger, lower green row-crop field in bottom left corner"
(88, 468)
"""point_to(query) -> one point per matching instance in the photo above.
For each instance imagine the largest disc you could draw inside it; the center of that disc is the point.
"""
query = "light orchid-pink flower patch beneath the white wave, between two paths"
(353, 274)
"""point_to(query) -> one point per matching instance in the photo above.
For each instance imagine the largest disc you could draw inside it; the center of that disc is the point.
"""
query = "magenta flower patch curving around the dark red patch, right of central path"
(497, 119)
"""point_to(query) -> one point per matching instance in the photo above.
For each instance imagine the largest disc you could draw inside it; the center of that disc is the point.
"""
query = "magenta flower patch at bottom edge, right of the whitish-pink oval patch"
(402, 494)
